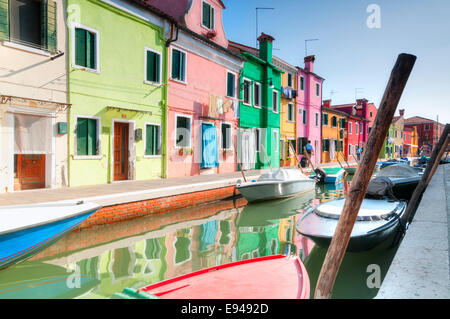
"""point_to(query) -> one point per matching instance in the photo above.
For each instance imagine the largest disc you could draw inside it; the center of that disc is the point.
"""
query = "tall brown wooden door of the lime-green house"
(120, 151)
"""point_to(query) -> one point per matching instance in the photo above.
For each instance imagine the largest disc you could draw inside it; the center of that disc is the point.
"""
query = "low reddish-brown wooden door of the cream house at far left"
(30, 171)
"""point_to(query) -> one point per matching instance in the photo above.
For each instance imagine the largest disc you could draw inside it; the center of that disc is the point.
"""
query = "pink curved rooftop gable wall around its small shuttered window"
(194, 21)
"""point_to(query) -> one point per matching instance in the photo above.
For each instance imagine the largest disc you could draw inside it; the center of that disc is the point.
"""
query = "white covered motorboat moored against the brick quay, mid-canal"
(274, 184)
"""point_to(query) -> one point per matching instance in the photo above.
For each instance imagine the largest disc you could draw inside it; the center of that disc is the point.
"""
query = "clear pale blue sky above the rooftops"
(351, 55)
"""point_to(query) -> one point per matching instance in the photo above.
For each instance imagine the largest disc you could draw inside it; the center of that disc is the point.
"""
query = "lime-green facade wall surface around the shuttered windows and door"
(116, 91)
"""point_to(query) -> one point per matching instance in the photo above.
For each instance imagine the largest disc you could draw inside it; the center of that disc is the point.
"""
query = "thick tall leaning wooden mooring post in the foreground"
(360, 182)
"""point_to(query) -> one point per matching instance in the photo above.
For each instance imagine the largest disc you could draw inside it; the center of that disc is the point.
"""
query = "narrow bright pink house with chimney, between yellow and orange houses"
(309, 103)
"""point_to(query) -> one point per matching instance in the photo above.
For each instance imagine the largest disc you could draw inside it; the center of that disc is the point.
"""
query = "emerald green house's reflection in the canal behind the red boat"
(258, 241)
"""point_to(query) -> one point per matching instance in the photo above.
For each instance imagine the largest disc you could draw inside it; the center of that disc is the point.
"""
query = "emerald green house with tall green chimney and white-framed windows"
(259, 108)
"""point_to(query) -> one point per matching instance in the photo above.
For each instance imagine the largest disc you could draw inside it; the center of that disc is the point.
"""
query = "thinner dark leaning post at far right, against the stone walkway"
(429, 171)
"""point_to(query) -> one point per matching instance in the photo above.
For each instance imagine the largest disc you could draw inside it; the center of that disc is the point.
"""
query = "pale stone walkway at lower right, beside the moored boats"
(420, 268)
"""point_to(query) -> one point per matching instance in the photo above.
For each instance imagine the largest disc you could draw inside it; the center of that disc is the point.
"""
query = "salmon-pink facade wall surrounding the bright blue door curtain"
(192, 99)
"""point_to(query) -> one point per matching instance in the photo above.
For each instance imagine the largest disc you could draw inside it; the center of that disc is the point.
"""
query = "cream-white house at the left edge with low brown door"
(33, 95)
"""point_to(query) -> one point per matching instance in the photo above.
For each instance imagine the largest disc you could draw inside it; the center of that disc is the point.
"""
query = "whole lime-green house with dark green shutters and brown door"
(117, 79)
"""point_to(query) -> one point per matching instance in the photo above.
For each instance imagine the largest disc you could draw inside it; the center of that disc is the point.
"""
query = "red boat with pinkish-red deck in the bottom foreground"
(271, 277)
